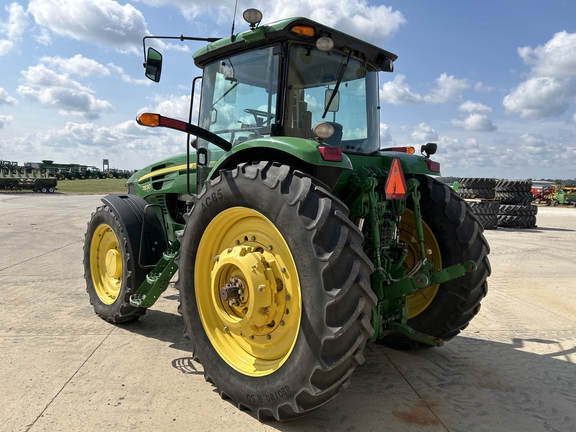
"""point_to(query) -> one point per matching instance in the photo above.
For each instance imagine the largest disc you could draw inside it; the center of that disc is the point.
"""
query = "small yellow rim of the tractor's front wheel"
(106, 264)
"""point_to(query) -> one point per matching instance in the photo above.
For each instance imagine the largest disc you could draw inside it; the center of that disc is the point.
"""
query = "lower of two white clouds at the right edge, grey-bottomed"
(540, 97)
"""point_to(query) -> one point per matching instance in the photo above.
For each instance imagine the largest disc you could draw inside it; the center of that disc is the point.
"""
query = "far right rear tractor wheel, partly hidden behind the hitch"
(452, 235)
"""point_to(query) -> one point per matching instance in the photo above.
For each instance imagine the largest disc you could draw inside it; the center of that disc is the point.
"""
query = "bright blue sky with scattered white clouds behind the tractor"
(492, 82)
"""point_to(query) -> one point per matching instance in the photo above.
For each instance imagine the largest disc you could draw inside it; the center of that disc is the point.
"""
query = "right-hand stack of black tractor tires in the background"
(516, 210)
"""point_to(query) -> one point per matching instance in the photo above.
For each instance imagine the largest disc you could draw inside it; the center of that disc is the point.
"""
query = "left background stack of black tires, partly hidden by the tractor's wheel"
(479, 194)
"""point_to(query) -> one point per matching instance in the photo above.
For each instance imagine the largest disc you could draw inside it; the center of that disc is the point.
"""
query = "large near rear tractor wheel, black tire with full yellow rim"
(274, 290)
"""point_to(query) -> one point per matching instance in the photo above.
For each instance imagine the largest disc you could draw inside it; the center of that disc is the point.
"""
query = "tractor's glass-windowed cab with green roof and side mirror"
(292, 80)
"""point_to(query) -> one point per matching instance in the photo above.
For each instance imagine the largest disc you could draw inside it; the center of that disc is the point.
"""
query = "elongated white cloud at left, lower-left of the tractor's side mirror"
(59, 91)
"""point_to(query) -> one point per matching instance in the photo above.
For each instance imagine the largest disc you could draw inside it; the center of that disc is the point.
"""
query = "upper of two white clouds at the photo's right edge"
(557, 57)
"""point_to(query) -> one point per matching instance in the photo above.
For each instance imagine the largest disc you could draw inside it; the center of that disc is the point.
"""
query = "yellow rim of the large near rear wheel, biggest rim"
(247, 291)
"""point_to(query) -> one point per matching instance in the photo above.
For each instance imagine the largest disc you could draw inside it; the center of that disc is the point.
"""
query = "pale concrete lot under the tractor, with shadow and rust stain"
(63, 368)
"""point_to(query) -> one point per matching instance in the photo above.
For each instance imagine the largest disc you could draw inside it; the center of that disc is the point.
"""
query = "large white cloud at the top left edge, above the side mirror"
(101, 22)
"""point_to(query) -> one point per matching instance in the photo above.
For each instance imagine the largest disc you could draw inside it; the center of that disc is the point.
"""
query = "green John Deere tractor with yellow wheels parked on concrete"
(296, 237)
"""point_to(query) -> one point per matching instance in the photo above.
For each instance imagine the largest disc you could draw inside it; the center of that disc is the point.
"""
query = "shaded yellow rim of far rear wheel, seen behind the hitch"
(419, 301)
